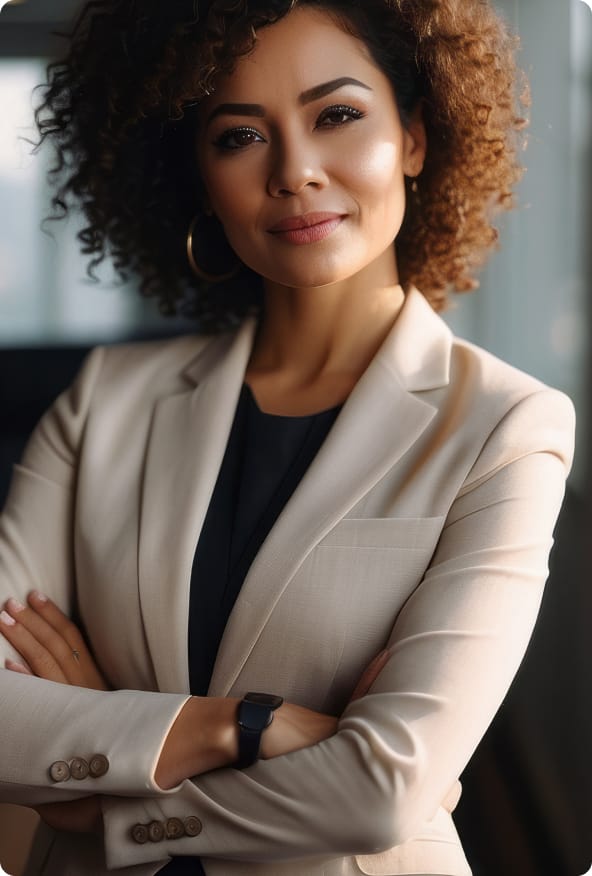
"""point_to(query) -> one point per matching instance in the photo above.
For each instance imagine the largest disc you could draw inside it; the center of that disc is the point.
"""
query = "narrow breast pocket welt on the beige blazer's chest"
(402, 533)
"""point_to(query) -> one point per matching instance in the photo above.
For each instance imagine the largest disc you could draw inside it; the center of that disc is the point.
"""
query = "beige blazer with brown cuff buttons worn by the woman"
(423, 523)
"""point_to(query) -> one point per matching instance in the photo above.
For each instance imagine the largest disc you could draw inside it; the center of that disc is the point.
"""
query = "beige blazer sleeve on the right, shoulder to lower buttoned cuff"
(455, 648)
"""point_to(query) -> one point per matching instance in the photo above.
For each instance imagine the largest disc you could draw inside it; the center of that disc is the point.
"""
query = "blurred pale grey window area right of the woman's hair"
(532, 307)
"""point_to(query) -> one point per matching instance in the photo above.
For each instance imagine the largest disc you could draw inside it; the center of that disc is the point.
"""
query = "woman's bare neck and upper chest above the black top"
(314, 343)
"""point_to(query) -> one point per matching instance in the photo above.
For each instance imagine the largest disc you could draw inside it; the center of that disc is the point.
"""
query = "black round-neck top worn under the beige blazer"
(265, 460)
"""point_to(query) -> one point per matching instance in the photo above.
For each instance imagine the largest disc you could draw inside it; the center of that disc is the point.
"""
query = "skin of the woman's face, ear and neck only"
(346, 152)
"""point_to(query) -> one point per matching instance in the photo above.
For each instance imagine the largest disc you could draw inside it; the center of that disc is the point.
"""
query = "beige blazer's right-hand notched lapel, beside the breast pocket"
(380, 421)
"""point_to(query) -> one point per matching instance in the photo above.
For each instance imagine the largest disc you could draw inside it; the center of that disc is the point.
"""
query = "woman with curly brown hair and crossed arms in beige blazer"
(269, 508)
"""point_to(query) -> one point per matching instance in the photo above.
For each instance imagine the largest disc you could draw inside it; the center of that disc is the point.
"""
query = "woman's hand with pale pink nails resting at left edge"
(51, 646)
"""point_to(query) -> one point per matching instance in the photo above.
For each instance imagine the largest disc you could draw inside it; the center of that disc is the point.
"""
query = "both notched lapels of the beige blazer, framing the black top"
(380, 421)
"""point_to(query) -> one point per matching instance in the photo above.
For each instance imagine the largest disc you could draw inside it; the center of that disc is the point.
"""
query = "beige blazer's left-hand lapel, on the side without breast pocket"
(186, 446)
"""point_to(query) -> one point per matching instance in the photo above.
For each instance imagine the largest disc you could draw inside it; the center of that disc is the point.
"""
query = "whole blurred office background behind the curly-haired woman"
(527, 805)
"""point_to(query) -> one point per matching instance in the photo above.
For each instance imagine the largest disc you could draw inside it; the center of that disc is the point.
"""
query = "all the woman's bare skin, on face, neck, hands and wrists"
(331, 296)
